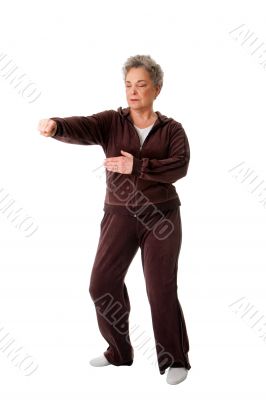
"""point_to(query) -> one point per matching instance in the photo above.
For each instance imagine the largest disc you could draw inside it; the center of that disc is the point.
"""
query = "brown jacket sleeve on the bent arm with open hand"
(167, 170)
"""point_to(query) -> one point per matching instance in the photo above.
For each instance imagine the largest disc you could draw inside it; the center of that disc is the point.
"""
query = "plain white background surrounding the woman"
(214, 86)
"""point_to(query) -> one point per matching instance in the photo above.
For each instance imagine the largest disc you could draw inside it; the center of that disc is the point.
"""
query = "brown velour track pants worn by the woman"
(159, 237)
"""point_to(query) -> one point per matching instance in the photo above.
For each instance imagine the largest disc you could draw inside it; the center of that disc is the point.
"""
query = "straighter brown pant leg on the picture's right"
(160, 246)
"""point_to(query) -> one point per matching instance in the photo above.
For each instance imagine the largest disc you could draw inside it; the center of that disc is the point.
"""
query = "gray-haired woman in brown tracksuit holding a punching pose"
(146, 152)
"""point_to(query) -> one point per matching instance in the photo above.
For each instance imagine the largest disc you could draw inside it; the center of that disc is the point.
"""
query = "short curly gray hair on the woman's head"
(154, 69)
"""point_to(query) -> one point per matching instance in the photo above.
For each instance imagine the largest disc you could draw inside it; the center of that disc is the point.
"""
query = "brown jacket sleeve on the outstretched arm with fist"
(93, 129)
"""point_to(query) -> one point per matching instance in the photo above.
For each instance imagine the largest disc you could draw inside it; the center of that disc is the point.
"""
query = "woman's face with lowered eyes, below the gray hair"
(140, 90)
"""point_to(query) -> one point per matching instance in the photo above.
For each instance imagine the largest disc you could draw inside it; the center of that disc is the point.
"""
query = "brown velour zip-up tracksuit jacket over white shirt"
(161, 161)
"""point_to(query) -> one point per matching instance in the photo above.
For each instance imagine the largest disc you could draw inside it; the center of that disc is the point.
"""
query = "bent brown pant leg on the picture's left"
(117, 246)
